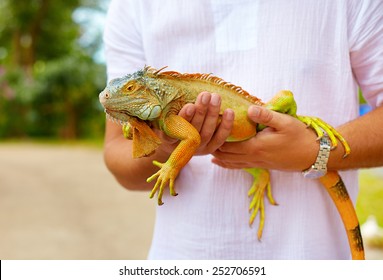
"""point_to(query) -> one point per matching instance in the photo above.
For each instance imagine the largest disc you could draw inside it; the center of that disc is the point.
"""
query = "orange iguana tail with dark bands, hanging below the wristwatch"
(338, 192)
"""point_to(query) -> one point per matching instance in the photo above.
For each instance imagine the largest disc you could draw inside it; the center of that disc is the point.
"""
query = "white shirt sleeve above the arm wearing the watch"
(365, 23)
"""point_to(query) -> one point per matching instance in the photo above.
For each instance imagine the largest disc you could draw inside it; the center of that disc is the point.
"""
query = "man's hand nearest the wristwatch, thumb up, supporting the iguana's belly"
(286, 144)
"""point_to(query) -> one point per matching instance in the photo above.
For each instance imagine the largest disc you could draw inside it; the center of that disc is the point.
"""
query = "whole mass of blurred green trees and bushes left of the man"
(49, 81)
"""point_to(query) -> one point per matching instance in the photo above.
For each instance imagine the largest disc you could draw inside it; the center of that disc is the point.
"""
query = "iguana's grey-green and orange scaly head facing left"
(130, 96)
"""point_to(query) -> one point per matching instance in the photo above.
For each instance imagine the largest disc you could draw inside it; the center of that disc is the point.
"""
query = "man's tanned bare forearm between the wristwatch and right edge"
(365, 137)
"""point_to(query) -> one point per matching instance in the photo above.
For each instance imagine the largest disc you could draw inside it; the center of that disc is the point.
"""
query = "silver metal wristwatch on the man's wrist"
(319, 168)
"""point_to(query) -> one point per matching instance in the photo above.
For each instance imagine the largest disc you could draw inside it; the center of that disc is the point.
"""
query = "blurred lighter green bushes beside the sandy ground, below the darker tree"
(60, 101)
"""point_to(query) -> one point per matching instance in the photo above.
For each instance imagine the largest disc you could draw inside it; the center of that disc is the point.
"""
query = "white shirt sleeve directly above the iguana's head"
(124, 52)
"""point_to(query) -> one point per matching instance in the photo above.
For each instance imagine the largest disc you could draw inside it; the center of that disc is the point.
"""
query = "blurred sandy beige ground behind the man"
(60, 202)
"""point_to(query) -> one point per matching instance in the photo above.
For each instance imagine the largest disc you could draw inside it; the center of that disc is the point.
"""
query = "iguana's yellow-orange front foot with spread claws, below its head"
(165, 175)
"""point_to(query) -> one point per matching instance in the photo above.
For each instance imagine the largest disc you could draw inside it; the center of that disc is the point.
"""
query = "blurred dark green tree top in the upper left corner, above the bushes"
(37, 30)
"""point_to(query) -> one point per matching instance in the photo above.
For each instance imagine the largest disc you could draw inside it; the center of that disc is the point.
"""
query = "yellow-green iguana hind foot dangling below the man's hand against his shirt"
(260, 188)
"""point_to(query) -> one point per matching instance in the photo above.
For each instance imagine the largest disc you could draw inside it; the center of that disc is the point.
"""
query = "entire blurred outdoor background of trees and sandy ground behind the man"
(57, 200)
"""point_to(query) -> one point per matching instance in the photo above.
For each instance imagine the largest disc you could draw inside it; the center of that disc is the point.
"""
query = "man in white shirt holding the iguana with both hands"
(321, 51)
